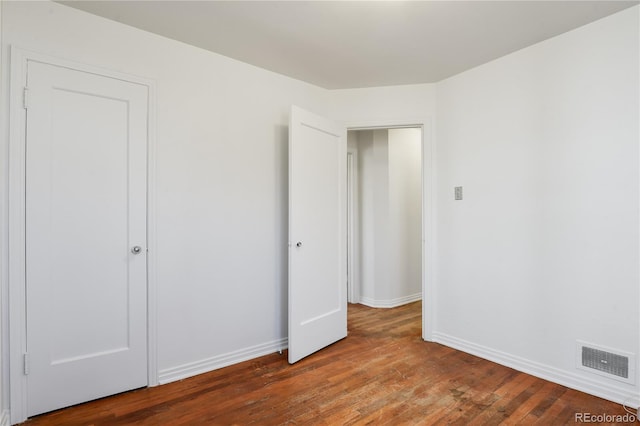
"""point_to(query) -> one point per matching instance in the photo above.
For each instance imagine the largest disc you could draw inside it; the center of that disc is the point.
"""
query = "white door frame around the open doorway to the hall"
(428, 209)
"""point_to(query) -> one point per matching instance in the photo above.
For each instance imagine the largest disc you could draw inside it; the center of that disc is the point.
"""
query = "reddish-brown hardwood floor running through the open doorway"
(382, 373)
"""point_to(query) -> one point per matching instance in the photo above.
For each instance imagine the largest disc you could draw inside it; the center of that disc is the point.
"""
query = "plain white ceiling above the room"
(349, 44)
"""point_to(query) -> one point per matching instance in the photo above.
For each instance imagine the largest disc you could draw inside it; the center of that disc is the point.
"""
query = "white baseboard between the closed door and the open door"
(194, 368)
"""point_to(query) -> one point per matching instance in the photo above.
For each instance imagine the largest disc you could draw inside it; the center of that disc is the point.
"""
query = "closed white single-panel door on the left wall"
(85, 237)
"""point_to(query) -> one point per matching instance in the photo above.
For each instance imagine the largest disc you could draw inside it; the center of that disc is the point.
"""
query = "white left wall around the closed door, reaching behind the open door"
(221, 180)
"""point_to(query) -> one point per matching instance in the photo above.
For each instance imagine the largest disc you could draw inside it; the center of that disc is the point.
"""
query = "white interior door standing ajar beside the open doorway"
(317, 233)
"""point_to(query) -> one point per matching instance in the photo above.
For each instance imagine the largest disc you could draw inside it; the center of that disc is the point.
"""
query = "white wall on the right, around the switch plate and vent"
(543, 250)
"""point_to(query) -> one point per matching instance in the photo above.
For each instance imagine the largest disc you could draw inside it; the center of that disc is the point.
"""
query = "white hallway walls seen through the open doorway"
(385, 215)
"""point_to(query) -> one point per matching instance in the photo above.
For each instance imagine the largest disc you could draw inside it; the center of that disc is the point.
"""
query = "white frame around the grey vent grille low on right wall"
(606, 362)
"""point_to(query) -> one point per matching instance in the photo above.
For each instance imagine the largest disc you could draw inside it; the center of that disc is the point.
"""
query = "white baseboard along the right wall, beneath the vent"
(612, 392)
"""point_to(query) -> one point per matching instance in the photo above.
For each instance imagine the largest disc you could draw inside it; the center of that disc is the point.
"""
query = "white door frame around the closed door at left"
(16, 221)
